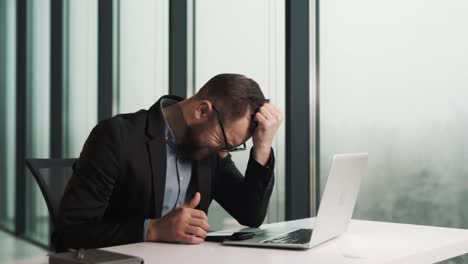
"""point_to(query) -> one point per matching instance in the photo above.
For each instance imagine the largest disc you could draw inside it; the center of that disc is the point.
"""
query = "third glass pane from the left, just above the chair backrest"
(80, 72)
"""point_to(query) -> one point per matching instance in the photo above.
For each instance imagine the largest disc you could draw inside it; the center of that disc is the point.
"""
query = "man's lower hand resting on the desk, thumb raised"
(185, 224)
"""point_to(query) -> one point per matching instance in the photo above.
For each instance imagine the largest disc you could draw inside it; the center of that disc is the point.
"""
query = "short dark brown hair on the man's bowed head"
(233, 94)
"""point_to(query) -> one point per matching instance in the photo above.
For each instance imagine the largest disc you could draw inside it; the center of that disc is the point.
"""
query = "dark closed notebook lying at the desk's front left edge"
(93, 256)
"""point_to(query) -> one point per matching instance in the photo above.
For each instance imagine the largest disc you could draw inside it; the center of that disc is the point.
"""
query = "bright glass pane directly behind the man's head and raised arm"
(253, 46)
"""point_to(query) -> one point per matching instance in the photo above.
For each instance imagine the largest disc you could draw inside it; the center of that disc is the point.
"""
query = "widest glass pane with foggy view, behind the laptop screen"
(393, 83)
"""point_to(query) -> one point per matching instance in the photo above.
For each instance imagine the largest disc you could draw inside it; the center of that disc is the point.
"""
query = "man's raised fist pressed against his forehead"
(268, 119)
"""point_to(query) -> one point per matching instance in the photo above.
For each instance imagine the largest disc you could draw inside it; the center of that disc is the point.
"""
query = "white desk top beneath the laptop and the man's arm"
(365, 242)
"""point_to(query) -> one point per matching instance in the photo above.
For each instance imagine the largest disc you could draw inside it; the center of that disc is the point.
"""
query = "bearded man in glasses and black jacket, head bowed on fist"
(151, 175)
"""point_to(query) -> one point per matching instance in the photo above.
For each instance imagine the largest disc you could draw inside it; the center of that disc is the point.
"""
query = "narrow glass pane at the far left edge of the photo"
(7, 113)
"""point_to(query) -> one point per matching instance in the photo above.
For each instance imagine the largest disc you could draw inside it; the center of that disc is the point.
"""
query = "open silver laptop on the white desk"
(335, 212)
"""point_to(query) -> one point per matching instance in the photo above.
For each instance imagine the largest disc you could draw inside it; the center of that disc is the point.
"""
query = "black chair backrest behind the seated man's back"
(52, 176)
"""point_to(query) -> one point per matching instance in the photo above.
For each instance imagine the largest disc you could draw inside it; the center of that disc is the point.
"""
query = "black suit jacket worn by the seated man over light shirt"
(119, 181)
